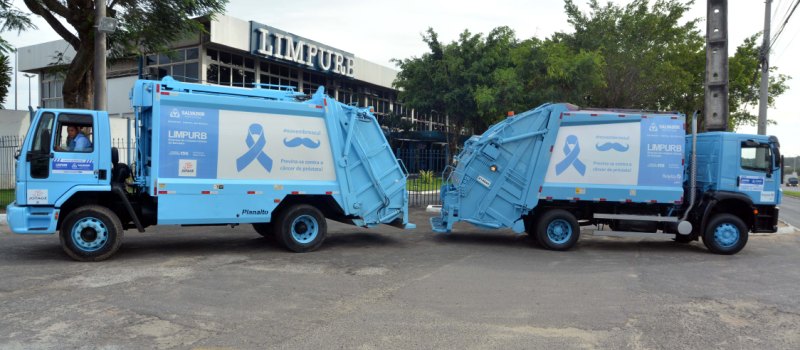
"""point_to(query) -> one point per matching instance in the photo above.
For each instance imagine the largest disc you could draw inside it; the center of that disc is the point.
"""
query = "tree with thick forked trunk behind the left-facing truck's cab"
(144, 26)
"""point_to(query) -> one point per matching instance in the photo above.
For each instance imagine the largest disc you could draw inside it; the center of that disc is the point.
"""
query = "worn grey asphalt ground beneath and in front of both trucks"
(373, 289)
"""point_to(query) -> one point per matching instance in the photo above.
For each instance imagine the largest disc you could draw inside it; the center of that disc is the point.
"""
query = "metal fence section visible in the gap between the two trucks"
(425, 174)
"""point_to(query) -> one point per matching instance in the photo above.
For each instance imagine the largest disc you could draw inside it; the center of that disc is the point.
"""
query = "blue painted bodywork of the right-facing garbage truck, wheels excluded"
(557, 152)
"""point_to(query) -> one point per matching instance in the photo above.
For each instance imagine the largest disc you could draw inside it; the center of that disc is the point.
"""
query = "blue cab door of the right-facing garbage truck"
(756, 177)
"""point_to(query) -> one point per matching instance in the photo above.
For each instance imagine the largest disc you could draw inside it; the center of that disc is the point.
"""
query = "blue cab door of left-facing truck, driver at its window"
(62, 155)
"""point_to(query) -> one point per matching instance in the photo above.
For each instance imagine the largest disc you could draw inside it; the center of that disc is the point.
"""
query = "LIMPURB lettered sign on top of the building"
(266, 41)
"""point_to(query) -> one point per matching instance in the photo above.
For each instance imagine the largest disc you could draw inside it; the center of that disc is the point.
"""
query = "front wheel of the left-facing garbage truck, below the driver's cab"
(91, 233)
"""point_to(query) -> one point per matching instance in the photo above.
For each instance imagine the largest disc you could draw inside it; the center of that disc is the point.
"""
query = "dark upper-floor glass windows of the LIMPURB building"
(216, 65)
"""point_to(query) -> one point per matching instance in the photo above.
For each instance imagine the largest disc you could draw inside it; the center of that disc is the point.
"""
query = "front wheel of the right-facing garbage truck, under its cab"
(725, 234)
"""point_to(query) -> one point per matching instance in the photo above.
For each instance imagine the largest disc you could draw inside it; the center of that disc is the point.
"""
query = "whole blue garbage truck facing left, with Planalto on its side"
(268, 156)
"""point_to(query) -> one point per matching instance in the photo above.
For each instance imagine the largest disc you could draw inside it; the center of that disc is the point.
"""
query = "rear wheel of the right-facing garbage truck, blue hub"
(557, 229)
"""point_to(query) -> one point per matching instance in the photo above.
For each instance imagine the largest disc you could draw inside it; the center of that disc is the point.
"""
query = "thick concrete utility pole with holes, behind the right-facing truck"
(716, 99)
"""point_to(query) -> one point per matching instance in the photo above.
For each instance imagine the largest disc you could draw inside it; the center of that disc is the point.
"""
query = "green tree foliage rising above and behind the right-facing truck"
(641, 55)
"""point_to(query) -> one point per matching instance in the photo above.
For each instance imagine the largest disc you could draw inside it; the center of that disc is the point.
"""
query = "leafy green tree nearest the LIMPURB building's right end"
(476, 80)
